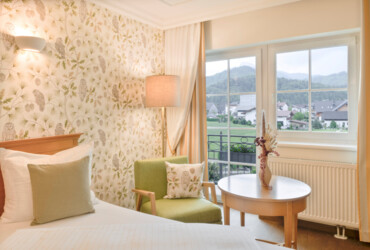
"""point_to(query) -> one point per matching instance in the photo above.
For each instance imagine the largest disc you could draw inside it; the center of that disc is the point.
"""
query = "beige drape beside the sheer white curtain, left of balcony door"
(194, 140)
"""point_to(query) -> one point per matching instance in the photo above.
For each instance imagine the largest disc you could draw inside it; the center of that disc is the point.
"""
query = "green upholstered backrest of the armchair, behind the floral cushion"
(151, 175)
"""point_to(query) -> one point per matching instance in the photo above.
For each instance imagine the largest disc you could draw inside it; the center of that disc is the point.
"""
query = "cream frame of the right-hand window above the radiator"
(308, 44)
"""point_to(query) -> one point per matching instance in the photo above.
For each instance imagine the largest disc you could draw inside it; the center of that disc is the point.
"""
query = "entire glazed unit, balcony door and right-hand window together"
(308, 89)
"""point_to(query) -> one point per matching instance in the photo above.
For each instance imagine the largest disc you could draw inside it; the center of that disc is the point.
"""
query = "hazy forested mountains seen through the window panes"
(242, 79)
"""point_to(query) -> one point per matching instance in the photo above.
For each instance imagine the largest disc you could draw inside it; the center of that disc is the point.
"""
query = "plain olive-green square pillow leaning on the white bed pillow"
(60, 190)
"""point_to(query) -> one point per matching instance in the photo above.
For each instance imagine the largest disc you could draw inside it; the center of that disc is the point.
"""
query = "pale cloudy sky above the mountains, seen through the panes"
(325, 61)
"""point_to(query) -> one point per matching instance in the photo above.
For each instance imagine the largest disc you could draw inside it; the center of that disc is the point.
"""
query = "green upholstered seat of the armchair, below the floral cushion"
(193, 210)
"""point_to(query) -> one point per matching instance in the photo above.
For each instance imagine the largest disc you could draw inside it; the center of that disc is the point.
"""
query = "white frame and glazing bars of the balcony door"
(230, 55)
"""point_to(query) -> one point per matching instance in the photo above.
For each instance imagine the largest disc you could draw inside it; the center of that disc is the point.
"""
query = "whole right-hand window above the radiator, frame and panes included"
(314, 88)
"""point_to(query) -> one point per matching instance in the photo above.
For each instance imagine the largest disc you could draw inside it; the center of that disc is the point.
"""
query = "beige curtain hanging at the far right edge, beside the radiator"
(363, 152)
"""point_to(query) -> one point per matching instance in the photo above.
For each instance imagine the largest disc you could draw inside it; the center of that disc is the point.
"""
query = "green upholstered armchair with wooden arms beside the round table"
(151, 187)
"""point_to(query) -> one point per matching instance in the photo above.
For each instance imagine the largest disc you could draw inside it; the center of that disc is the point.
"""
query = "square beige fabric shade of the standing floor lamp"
(162, 91)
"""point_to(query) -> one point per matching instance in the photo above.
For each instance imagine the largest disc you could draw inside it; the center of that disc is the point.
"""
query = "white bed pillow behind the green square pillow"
(18, 191)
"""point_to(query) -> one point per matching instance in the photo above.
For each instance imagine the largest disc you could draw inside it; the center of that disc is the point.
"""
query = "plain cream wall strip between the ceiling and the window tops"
(302, 18)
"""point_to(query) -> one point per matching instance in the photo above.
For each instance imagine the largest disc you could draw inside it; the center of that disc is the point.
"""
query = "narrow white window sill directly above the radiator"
(337, 147)
